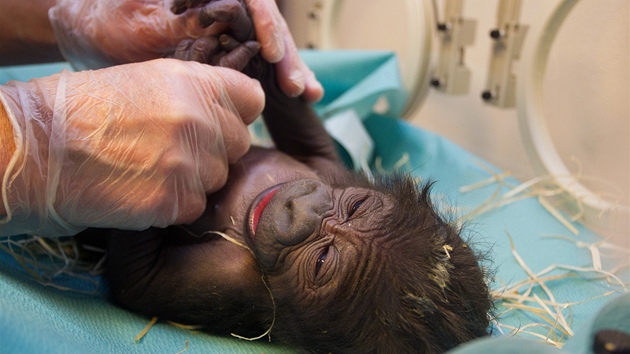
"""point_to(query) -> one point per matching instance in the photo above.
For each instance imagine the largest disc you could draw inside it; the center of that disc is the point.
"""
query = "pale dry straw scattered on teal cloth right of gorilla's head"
(552, 317)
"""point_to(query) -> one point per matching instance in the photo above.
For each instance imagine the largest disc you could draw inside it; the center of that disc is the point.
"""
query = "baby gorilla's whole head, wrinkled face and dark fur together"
(368, 269)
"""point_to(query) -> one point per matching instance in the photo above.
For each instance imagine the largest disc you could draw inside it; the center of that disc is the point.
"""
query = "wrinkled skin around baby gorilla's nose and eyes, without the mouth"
(315, 234)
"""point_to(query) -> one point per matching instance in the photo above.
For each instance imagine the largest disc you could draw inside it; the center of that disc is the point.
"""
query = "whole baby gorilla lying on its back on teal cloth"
(328, 260)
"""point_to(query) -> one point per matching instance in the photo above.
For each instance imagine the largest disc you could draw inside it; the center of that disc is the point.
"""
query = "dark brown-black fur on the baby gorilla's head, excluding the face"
(395, 305)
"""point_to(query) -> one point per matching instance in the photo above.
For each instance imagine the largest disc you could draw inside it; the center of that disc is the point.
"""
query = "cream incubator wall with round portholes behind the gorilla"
(572, 99)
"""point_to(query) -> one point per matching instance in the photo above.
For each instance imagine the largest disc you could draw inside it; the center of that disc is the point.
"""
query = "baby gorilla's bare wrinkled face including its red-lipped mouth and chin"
(307, 226)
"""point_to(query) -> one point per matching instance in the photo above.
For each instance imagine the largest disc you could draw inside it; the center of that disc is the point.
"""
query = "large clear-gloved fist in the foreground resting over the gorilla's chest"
(126, 147)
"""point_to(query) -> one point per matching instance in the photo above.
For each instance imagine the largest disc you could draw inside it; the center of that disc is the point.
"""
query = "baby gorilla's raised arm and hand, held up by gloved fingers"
(292, 123)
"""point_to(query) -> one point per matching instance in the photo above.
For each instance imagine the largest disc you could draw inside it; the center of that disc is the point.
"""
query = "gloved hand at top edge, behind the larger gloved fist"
(94, 34)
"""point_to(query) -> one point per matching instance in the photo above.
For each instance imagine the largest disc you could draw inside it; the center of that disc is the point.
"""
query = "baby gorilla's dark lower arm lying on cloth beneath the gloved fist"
(164, 273)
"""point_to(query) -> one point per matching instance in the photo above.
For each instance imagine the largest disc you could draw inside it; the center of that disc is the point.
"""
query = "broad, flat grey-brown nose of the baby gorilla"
(300, 207)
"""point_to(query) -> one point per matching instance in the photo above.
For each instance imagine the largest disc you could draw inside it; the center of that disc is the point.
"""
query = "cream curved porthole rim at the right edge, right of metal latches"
(592, 209)
